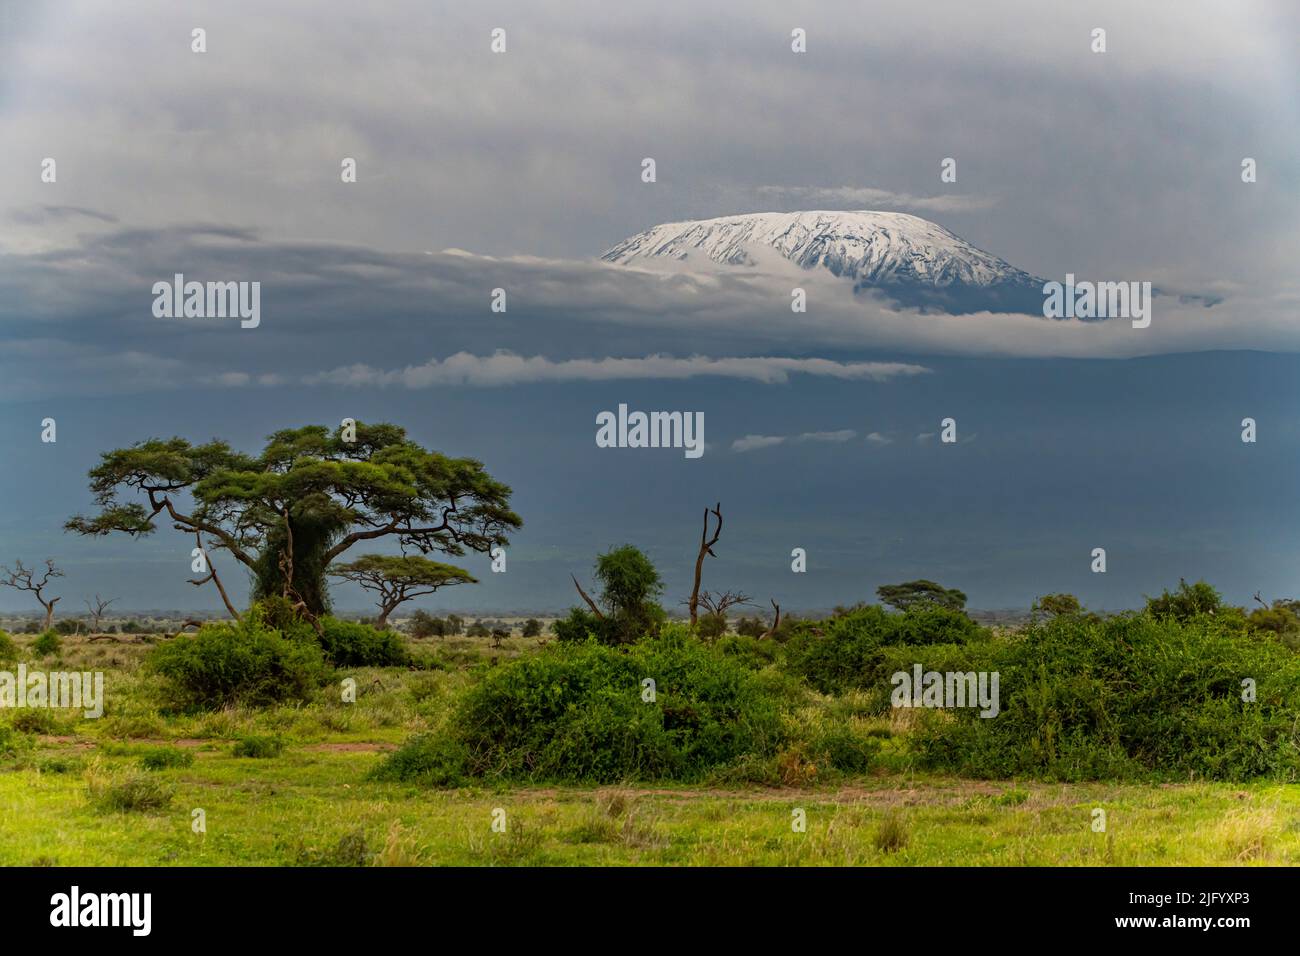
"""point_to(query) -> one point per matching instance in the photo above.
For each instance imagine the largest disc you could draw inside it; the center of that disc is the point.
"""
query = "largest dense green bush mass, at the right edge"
(1130, 698)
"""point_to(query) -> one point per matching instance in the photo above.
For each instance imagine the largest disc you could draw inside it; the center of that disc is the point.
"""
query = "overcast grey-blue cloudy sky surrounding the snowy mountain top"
(479, 171)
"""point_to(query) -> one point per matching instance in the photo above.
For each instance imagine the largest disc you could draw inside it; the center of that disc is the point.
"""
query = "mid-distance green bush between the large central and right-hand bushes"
(851, 650)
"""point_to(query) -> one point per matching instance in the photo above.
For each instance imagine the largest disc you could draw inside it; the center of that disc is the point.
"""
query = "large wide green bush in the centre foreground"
(575, 713)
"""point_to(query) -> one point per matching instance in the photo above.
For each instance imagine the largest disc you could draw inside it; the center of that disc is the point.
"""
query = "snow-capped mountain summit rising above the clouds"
(911, 259)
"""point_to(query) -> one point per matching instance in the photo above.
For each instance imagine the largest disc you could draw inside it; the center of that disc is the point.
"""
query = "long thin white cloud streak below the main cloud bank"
(508, 369)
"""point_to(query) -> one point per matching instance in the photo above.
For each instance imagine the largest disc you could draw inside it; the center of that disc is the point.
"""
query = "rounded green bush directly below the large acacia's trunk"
(237, 663)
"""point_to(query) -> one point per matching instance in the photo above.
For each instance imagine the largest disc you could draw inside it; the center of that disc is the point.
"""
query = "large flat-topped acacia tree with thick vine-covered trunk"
(307, 499)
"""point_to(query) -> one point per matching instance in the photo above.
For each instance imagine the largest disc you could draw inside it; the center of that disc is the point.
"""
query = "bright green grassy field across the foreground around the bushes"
(60, 799)
